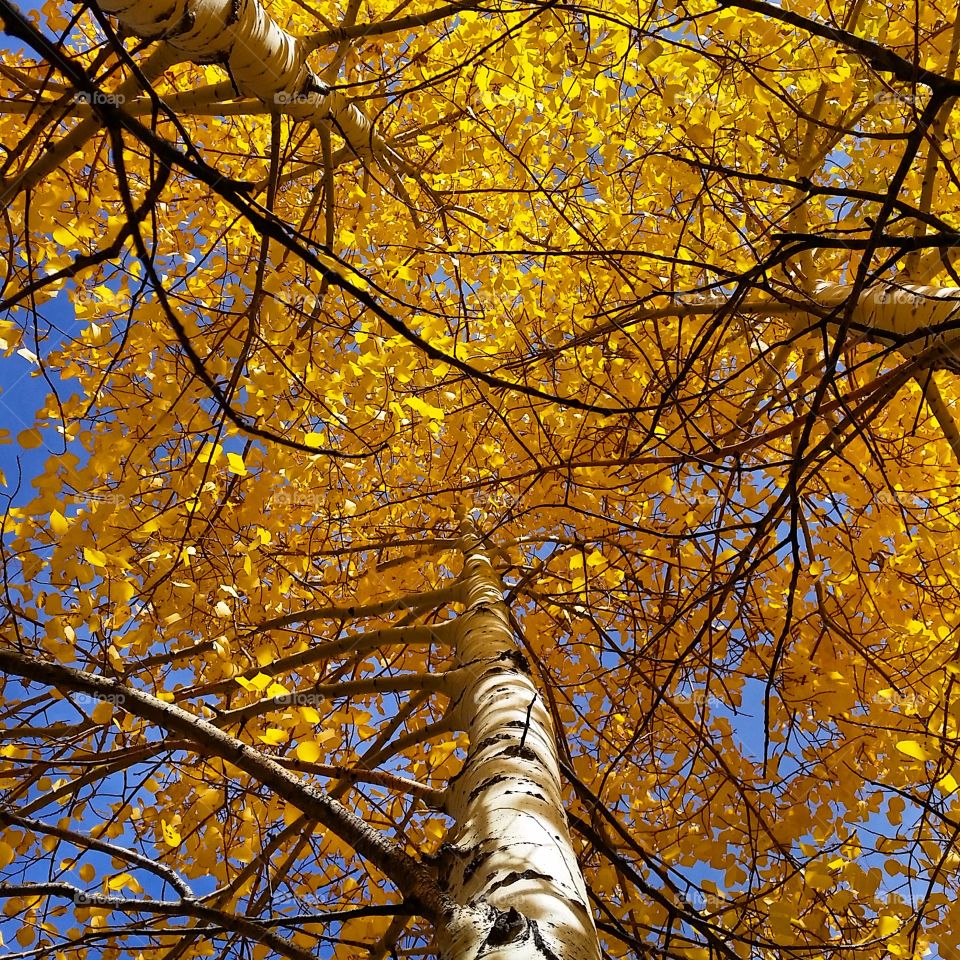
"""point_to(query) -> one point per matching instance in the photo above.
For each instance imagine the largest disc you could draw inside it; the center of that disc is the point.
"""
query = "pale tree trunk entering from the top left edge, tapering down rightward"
(265, 62)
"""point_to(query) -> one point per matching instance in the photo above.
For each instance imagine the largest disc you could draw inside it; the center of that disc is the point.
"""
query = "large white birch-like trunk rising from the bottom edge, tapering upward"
(509, 863)
